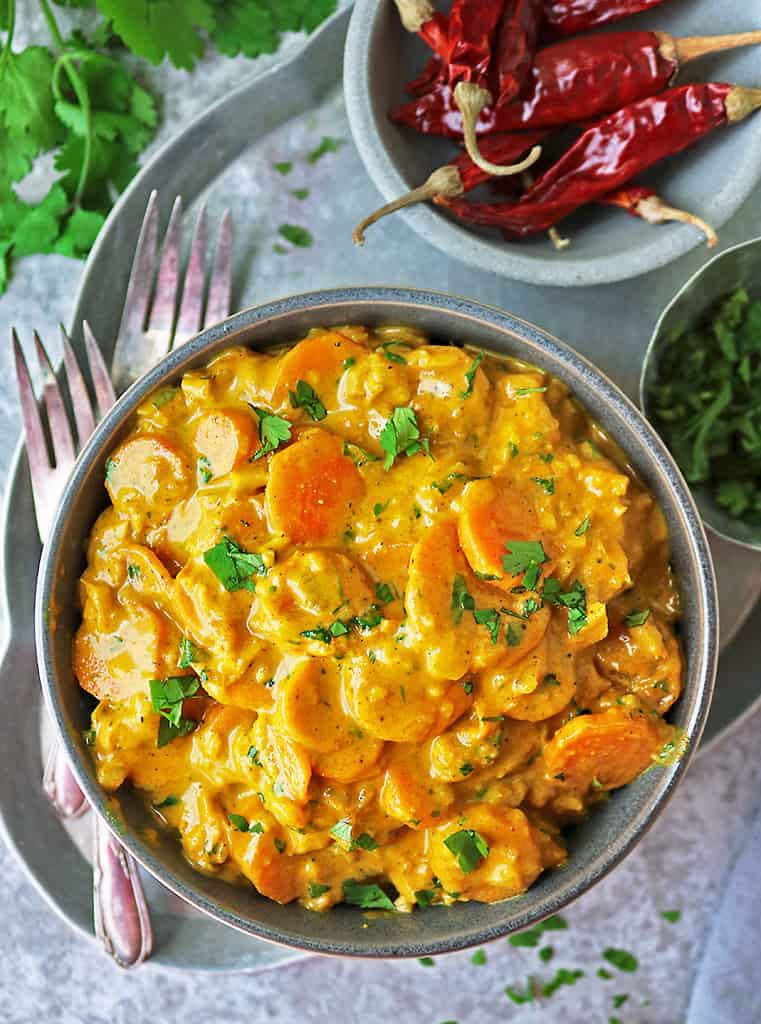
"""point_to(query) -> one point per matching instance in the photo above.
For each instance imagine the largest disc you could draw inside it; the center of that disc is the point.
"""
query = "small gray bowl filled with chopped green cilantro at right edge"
(701, 389)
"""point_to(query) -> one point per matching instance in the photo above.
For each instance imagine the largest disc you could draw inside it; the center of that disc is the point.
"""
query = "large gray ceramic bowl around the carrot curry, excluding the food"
(598, 845)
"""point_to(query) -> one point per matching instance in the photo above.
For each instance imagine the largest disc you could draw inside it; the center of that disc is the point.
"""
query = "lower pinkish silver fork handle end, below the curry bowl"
(122, 918)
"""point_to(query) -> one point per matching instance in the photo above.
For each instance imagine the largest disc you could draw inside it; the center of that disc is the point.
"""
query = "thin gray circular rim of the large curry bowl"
(554, 351)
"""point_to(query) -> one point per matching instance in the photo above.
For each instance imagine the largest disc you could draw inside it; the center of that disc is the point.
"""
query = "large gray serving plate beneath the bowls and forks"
(226, 158)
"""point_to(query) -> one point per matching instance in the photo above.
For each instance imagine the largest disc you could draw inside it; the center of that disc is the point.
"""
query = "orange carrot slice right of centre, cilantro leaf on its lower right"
(494, 514)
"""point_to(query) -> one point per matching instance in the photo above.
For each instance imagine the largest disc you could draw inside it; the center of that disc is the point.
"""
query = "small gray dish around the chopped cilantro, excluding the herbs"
(738, 268)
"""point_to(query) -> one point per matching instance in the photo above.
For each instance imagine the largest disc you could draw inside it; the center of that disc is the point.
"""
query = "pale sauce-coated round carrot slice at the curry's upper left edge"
(148, 473)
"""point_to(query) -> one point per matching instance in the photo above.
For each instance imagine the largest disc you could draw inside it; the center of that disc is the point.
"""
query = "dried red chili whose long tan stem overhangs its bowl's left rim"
(454, 180)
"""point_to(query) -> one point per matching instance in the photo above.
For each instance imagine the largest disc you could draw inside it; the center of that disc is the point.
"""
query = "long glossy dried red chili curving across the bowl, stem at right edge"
(613, 152)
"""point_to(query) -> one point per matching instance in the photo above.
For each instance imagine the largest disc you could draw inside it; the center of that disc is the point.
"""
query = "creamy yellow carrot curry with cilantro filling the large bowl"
(373, 620)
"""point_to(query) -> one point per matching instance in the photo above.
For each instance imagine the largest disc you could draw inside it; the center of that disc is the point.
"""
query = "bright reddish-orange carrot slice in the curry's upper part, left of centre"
(311, 489)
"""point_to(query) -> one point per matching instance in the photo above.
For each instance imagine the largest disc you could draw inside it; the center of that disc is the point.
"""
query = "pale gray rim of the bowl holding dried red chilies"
(666, 245)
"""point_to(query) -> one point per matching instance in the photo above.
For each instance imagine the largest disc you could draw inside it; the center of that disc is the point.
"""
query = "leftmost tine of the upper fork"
(139, 296)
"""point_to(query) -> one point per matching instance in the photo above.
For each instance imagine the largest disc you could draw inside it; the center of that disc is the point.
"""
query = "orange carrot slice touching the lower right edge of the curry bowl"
(611, 749)
